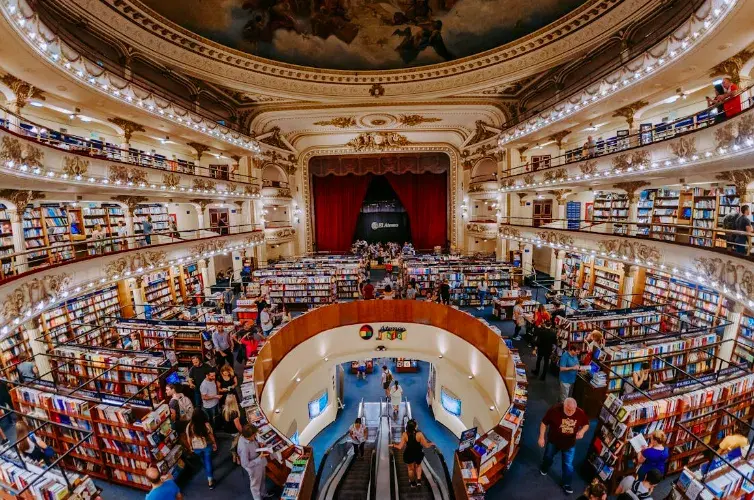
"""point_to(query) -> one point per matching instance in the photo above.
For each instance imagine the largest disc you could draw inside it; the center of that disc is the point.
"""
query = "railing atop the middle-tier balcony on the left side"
(97, 149)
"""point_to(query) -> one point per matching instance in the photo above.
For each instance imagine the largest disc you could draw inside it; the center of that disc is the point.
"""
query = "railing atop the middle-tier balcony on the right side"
(709, 116)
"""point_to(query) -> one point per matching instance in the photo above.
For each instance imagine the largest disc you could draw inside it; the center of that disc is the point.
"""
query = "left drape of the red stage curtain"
(337, 204)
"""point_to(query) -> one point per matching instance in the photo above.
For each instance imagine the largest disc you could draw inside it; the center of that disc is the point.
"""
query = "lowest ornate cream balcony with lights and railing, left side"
(37, 284)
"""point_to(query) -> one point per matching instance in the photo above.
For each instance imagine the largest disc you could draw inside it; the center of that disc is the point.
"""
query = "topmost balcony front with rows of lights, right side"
(657, 50)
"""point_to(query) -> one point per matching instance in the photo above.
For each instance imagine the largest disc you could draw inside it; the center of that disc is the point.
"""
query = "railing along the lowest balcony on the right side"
(735, 243)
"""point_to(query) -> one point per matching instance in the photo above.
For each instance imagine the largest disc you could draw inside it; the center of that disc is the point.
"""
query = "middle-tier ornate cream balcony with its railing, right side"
(684, 146)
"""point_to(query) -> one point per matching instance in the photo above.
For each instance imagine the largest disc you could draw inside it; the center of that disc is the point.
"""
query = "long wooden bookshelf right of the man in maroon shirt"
(702, 403)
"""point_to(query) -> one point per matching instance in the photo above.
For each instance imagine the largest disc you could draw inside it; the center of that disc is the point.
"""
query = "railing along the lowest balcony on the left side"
(20, 263)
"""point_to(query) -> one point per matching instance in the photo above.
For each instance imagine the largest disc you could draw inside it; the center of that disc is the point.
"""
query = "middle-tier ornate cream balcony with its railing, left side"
(53, 159)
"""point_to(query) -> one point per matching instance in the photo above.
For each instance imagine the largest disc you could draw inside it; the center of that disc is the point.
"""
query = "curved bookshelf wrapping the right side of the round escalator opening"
(482, 464)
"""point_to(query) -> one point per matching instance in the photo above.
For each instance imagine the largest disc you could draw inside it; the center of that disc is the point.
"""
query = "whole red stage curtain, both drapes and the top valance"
(421, 186)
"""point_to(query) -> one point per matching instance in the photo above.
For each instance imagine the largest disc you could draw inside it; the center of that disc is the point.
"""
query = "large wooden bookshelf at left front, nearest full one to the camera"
(125, 440)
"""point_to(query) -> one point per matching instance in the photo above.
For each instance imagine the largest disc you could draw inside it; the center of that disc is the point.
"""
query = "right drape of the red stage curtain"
(425, 198)
